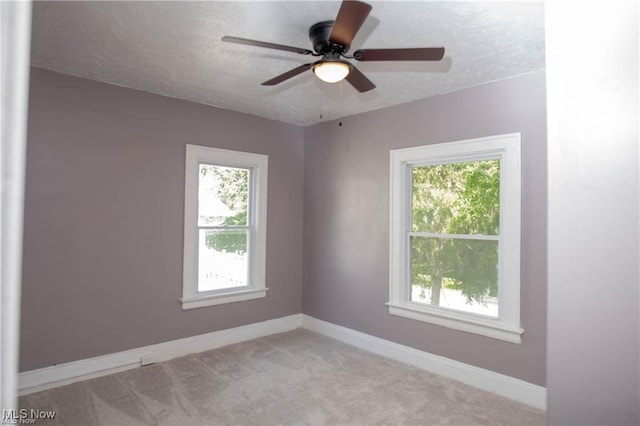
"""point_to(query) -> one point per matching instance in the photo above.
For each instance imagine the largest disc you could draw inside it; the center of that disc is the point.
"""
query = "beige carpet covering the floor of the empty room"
(292, 378)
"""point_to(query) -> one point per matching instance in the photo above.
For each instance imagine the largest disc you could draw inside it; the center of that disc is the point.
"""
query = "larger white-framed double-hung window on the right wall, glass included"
(455, 235)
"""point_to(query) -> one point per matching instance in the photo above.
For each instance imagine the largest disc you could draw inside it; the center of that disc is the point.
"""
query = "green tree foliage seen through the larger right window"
(455, 224)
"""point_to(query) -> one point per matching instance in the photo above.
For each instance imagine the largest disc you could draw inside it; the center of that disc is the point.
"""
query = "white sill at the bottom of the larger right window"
(485, 326)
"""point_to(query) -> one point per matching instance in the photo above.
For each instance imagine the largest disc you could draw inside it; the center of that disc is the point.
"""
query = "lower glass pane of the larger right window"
(455, 274)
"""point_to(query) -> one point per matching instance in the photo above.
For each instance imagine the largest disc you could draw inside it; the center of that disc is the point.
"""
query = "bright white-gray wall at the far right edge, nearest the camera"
(593, 361)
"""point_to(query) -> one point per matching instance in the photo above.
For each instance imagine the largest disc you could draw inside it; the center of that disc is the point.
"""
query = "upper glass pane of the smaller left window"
(223, 194)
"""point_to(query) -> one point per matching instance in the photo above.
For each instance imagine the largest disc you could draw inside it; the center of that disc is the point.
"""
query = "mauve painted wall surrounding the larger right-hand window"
(346, 229)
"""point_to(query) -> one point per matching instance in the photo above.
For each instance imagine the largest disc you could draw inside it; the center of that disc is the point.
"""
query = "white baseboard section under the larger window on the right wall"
(509, 387)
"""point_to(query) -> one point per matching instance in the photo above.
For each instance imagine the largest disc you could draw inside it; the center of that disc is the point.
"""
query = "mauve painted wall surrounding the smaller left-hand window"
(104, 218)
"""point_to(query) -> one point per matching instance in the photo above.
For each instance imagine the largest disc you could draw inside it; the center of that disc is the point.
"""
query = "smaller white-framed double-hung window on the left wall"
(224, 226)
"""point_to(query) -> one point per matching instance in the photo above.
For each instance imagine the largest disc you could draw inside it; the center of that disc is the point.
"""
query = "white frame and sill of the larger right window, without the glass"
(506, 148)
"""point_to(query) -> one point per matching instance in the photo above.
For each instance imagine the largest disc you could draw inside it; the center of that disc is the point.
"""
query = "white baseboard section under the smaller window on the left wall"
(63, 374)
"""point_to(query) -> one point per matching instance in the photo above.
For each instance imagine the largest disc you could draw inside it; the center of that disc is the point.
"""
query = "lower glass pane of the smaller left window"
(223, 260)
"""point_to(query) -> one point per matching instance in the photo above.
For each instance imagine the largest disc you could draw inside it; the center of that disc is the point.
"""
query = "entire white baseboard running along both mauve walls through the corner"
(63, 374)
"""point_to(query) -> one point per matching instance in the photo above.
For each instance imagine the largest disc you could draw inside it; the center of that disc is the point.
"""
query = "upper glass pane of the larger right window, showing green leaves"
(456, 198)
